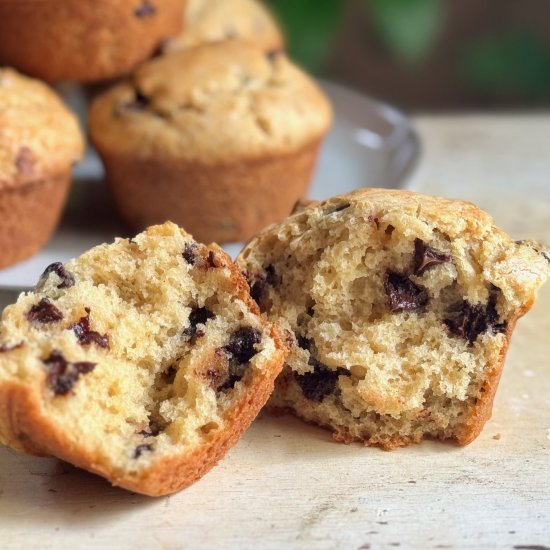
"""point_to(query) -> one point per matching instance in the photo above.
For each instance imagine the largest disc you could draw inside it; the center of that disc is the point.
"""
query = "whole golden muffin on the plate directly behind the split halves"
(221, 139)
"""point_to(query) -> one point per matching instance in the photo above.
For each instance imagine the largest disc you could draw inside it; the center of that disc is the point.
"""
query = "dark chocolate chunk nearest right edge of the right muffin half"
(471, 320)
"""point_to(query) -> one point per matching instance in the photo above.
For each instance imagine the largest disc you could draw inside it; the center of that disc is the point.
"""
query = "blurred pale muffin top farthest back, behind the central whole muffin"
(215, 20)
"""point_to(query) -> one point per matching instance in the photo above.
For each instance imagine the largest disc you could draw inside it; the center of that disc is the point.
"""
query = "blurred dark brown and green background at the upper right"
(427, 54)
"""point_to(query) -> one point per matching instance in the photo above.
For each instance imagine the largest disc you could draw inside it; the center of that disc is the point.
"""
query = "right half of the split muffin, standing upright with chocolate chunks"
(402, 307)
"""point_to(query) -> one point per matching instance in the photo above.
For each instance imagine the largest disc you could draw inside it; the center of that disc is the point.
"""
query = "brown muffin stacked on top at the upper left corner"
(83, 40)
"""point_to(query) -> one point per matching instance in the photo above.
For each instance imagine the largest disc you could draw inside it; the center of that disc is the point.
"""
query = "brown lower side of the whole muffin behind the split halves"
(223, 203)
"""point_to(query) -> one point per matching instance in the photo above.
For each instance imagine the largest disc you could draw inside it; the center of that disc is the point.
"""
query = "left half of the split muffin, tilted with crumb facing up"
(142, 361)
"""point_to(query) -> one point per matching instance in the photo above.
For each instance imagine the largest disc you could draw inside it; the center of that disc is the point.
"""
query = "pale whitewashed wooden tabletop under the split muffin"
(288, 485)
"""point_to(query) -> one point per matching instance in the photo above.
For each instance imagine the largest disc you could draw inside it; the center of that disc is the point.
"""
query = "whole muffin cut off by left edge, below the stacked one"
(39, 142)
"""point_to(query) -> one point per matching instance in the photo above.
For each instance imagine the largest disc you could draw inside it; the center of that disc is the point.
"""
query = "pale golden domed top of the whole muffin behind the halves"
(215, 103)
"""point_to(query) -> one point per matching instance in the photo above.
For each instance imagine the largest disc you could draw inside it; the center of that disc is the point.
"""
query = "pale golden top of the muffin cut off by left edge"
(39, 136)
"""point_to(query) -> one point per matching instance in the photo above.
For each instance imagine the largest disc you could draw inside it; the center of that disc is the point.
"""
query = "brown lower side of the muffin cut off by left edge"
(29, 215)
